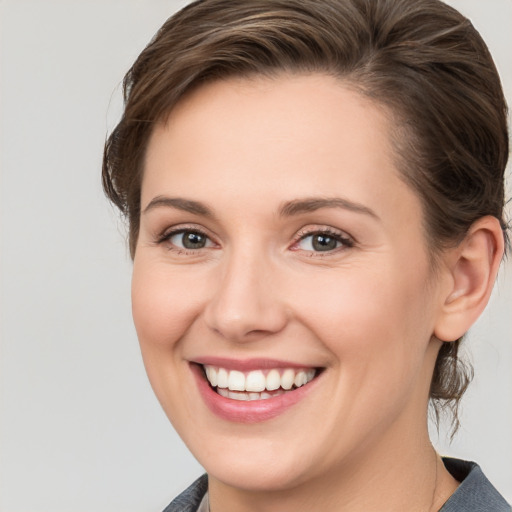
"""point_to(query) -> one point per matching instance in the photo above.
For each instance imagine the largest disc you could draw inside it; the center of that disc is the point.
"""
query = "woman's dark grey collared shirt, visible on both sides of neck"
(474, 494)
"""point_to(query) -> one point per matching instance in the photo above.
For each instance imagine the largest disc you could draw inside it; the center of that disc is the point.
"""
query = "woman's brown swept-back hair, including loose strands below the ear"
(420, 59)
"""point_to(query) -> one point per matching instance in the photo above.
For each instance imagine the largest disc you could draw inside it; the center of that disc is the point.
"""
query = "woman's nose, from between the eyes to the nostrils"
(245, 304)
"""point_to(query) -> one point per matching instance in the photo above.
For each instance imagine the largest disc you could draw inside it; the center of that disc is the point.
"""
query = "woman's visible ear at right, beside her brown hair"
(472, 267)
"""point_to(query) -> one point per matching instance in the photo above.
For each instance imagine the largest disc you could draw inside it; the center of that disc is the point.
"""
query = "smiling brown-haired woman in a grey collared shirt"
(315, 200)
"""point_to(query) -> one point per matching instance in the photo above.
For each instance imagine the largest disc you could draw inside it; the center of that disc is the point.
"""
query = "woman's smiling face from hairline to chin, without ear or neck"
(282, 291)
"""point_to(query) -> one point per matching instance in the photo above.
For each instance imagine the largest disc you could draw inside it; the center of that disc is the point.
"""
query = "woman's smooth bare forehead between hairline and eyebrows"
(277, 138)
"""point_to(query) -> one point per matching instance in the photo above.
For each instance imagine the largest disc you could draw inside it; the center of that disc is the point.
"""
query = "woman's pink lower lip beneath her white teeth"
(253, 411)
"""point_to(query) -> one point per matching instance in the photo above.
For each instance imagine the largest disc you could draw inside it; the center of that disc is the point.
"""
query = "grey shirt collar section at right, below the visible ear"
(475, 493)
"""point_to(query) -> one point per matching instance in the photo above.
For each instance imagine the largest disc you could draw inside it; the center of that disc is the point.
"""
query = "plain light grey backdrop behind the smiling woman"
(79, 427)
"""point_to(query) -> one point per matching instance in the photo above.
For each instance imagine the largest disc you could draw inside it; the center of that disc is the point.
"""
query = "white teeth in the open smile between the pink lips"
(257, 384)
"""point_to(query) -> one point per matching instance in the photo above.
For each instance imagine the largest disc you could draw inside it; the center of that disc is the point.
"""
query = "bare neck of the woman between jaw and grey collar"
(409, 477)
